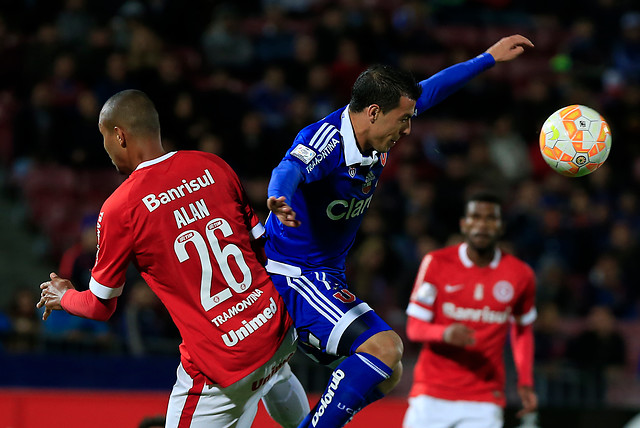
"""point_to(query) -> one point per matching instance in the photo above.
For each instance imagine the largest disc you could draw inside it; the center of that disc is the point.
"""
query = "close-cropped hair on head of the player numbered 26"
(133, 109)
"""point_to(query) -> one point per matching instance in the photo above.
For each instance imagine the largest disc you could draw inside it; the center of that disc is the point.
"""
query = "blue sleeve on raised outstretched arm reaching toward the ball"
(444, 83)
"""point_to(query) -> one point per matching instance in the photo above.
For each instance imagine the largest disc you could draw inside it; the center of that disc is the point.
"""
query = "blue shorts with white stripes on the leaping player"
(327, 316)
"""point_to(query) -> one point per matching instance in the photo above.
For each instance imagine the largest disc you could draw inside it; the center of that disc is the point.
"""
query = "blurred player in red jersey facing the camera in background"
(465, 300)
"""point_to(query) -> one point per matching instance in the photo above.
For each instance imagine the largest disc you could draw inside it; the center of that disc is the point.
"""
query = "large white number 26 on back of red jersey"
(221, 256)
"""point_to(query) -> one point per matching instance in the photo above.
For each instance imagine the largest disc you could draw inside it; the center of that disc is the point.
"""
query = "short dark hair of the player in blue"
(383, 85)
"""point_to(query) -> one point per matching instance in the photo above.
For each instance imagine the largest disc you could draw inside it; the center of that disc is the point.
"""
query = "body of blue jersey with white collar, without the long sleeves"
(336, 190)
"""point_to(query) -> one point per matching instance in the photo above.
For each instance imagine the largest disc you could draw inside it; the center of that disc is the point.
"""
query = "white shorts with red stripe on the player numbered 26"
(196, 404)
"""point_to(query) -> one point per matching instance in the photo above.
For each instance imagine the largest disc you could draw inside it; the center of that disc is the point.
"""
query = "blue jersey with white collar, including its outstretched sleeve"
(329, 182)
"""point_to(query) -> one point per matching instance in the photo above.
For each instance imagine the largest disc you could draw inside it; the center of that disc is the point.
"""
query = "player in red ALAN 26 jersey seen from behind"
(183, 219)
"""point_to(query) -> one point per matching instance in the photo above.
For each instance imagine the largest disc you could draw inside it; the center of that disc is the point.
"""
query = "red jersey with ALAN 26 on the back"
(184, 220)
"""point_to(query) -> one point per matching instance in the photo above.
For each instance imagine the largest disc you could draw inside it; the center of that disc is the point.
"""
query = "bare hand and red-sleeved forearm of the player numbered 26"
(60, 294)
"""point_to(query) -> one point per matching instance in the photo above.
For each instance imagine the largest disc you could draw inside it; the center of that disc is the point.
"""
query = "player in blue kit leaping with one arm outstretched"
(318, 195)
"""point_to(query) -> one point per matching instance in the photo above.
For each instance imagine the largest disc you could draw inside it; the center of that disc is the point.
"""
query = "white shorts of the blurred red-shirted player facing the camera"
(429, 412)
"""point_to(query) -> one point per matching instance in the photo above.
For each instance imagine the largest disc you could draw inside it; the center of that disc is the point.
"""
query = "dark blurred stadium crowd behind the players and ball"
(241, 82)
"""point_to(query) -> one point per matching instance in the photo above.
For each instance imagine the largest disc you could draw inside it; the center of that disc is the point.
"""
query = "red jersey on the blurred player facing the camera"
(449, 288)
